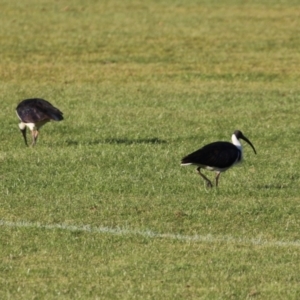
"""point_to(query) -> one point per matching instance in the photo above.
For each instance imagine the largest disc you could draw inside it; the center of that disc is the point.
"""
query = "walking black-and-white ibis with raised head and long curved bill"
(217, 156)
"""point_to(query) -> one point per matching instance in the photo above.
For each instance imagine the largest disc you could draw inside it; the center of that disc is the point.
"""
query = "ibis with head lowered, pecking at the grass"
(34, 113)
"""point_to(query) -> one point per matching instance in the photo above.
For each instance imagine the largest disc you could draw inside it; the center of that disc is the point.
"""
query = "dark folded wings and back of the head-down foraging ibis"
(38, 110)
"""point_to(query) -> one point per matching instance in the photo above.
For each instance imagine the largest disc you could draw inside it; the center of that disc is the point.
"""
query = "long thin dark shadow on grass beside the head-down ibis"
(118, 141)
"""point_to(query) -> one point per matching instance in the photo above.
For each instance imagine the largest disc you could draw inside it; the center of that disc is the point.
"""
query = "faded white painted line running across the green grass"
(151, 234)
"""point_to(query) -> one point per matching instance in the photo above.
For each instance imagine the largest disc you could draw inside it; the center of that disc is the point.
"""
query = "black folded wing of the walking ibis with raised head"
(218, 154)
